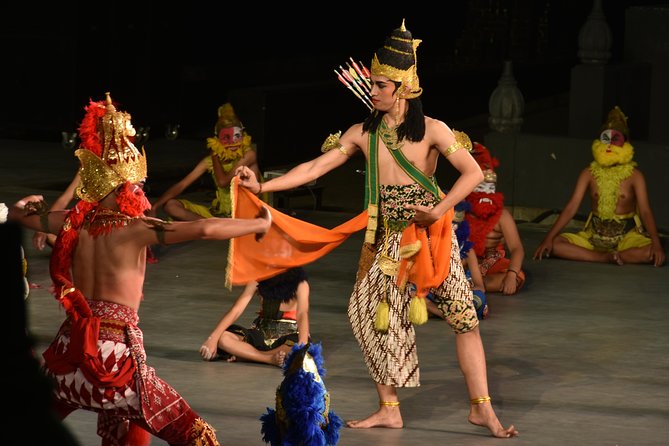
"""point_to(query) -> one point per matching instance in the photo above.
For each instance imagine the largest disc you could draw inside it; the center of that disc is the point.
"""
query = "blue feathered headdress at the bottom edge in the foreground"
(302, 416)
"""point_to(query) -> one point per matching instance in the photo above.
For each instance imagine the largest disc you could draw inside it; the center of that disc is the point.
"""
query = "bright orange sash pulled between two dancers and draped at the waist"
(291, 242)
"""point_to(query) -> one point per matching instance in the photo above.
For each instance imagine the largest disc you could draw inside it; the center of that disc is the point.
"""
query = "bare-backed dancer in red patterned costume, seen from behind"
(98, 265)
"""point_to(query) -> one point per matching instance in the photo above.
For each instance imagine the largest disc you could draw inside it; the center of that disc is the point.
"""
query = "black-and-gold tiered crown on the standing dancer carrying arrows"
(397, 61)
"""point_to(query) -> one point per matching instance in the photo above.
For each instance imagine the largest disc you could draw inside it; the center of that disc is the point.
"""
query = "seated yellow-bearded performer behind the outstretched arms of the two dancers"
(231, 148)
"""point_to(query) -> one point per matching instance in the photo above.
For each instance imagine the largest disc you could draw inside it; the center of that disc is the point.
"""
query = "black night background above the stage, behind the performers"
(178, 64)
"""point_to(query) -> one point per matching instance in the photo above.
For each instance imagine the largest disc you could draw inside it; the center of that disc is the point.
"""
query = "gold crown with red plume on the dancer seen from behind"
(107, 156)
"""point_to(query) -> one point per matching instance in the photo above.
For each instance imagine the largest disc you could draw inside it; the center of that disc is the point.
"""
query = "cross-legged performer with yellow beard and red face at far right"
(613, 232)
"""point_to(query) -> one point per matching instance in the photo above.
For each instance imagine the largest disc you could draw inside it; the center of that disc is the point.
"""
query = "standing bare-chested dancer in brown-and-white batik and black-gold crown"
(402, 147)
